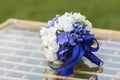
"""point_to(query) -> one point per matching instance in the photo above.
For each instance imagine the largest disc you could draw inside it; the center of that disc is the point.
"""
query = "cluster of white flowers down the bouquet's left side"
(48, 43)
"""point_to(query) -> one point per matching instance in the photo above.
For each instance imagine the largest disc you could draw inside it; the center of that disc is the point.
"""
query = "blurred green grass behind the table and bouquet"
(102, 13)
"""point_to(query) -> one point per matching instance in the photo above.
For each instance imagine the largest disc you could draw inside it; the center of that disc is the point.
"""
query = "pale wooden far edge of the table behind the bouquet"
(33, 25)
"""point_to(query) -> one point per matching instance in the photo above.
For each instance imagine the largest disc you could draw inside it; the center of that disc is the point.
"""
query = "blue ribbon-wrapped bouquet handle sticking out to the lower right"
(93, 58)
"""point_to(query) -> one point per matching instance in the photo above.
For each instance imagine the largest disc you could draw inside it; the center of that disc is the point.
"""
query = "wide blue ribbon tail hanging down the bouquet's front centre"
(68, 70)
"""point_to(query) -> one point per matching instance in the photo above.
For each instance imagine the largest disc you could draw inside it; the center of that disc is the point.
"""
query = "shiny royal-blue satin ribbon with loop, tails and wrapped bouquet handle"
(80, 50)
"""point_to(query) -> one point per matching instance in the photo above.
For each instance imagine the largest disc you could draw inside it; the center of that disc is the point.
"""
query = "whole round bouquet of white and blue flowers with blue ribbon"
(66, 40)
